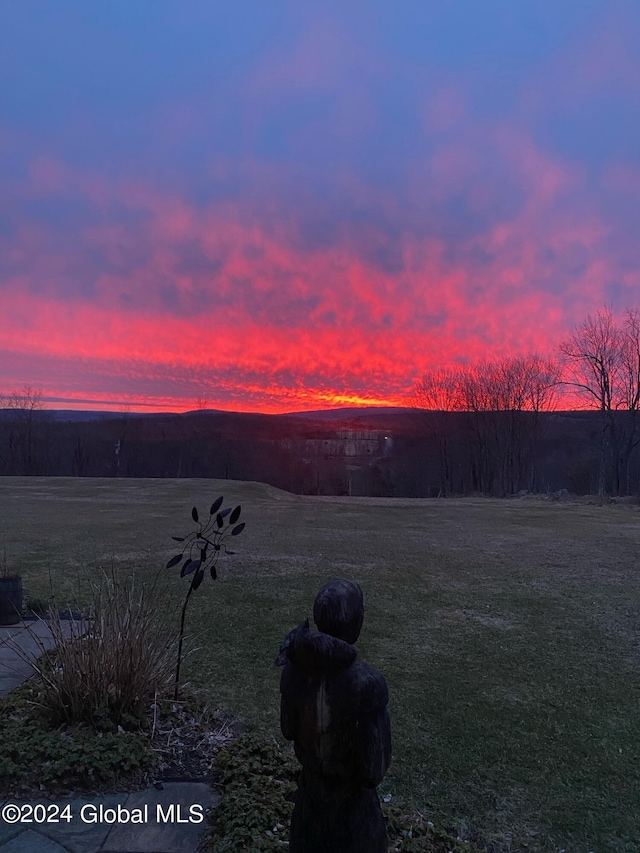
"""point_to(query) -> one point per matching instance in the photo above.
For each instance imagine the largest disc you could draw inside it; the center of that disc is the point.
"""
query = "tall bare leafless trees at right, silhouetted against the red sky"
(496, 452)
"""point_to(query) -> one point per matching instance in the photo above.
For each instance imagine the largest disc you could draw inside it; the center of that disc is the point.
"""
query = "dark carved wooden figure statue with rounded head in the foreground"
(334, 708)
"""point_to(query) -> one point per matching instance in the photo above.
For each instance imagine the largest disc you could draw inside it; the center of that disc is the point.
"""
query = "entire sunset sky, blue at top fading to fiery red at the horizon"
(280, 206)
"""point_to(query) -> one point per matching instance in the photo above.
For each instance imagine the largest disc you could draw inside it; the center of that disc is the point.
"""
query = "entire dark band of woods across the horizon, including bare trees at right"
(492, 427)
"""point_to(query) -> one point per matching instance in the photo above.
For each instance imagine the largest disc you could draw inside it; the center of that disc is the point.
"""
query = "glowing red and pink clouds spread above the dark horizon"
(228, 301)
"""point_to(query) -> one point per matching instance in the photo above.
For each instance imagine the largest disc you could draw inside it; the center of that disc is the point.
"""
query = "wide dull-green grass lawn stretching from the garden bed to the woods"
(509, 632)
